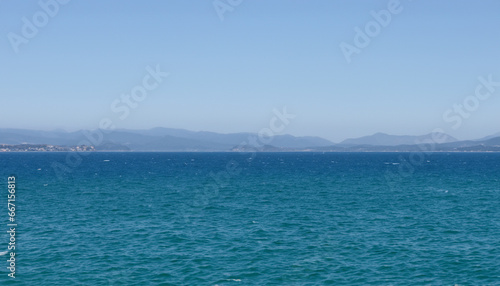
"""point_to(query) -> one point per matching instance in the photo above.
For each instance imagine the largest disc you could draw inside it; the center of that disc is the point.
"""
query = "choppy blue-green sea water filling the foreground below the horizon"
(253, 219)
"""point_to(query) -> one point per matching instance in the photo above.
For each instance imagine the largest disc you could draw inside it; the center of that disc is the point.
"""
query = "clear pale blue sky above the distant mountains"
(228, 75)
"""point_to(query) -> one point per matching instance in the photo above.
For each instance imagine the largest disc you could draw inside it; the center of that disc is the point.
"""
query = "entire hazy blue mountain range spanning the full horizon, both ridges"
(178, 140)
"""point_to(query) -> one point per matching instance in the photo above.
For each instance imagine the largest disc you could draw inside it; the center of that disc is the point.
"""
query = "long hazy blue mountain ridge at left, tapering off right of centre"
(157, 139)
